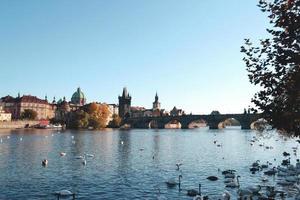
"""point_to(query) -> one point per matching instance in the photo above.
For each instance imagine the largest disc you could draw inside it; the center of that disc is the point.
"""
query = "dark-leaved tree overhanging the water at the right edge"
(274, 65)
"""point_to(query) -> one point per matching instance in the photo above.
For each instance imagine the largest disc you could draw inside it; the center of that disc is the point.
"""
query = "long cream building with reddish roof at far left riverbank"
(17, 105)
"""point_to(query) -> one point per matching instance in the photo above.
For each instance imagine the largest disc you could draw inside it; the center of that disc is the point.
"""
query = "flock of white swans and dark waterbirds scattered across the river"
(285, 177)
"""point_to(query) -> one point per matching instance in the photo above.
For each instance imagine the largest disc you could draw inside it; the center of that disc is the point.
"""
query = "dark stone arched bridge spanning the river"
(212, 120)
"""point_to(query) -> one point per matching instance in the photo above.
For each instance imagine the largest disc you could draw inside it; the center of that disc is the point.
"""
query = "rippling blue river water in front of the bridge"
(131, 164)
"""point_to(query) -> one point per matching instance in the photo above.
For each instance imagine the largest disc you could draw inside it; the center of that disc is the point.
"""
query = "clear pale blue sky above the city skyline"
(188, 51)
